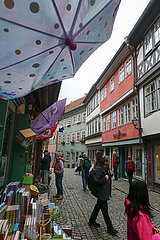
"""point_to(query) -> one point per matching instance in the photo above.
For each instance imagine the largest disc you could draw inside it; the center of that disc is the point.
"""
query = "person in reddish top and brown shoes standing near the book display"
(59, 170)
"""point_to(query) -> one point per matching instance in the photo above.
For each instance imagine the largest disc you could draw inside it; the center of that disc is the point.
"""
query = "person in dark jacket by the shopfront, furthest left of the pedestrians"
(45, 166)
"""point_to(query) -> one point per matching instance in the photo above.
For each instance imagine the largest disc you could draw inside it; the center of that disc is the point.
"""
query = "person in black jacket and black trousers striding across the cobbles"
(102, 177)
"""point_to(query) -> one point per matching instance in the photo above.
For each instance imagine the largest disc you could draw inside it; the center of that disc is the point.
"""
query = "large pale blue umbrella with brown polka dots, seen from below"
(42, 42)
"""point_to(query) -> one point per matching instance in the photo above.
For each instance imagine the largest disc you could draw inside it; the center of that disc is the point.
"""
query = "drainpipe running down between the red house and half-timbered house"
(135, 88)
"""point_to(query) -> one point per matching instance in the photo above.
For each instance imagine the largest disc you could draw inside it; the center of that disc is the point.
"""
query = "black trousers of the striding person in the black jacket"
(103, 206)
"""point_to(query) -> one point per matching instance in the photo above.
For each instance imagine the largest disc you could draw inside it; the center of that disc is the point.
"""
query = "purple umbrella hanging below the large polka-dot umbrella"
(47, 119)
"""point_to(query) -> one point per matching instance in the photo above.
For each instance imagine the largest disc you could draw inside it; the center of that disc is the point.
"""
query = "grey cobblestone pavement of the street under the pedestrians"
(77, 206)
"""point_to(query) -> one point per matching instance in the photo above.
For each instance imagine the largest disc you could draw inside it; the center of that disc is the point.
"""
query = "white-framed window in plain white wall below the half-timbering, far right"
(150, 97)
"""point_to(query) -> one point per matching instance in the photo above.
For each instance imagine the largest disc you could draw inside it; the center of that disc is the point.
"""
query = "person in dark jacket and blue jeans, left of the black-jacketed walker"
(85, 165)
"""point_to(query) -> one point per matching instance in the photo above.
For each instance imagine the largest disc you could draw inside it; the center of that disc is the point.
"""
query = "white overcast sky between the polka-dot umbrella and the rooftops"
(128, 14)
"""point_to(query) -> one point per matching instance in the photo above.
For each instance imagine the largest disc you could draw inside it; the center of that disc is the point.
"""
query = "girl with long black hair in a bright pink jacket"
(138, 210)
